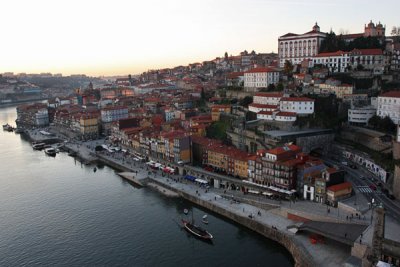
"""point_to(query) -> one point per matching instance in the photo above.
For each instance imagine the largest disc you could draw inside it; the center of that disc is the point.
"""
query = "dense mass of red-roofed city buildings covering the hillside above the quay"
(157, 114)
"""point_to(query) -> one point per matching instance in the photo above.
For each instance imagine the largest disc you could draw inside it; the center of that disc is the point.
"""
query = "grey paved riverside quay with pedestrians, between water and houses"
(271, 224)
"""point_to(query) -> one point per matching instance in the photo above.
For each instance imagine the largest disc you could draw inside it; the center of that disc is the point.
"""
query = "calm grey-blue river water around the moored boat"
(57, 212)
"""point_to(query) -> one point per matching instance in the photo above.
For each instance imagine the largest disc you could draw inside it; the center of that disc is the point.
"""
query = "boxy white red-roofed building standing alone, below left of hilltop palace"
(260, 78)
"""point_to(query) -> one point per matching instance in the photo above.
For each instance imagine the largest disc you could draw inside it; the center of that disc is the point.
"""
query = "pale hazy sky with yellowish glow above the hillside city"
(99, 37)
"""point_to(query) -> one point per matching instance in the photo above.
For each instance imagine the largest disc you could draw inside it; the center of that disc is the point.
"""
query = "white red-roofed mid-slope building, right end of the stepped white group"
(297, 105)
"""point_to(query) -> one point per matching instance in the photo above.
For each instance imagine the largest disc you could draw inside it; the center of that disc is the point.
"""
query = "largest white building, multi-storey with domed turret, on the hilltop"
(297, 47)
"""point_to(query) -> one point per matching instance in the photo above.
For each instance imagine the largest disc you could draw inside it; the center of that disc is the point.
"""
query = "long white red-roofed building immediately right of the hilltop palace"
(335, 61)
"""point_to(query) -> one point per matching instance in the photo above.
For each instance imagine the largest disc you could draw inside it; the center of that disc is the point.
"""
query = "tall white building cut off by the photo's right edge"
(389, 105)
